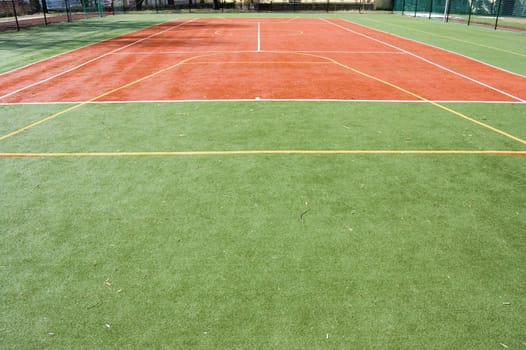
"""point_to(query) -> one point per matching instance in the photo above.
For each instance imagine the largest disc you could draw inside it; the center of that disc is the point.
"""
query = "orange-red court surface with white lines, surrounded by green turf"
(238, 59)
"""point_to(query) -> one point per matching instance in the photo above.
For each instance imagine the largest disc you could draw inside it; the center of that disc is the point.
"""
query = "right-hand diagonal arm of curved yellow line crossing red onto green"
(436, 104)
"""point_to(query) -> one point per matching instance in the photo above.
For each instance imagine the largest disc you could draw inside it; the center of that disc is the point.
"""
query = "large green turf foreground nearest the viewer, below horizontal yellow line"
(210, 252)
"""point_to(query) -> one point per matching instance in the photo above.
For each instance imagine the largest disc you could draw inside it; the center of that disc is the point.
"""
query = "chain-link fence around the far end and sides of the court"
(507, 14)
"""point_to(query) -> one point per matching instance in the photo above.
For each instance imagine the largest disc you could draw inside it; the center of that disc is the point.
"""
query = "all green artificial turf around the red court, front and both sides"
(260, 251)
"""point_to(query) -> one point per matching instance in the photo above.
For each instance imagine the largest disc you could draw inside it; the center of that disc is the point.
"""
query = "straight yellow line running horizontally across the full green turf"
(258, 152)
